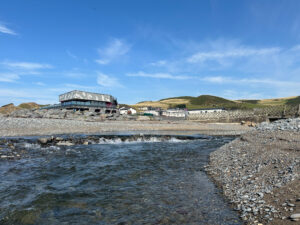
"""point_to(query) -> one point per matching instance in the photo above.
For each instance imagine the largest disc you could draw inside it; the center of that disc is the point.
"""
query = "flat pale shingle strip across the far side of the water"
(34, 126)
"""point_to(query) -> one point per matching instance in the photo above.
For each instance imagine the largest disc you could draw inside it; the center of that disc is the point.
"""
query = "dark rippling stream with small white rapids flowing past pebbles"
(114, 181)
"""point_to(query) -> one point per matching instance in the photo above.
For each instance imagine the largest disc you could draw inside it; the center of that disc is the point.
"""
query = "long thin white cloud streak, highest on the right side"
(231, 53)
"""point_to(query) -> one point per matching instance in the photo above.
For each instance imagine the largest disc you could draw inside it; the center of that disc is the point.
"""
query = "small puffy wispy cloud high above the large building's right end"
(112, 51)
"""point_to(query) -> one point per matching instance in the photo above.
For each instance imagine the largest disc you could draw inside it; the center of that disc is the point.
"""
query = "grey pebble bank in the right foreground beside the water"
(260, 173)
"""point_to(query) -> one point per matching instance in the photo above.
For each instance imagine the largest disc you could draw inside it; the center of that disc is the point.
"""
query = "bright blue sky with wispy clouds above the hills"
(142, 50)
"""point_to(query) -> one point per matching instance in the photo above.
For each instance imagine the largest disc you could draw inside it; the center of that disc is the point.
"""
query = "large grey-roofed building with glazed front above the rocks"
(82, 101)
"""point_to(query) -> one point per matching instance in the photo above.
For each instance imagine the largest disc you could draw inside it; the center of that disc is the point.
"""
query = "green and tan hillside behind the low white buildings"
(209, 101)
